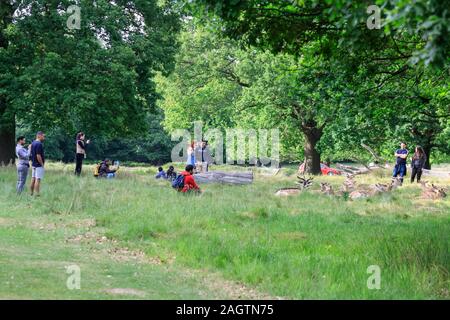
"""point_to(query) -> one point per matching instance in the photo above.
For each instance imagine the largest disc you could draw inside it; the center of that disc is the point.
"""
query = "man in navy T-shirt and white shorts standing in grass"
(37, 163)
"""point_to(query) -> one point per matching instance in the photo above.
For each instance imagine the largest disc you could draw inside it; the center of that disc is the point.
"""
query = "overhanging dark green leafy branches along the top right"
(287, 26)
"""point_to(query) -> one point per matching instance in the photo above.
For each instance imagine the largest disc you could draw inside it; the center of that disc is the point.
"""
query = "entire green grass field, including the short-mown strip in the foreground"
(135, 238)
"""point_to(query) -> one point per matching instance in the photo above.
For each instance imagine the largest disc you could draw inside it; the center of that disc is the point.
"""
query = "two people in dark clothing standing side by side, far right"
(418, 161)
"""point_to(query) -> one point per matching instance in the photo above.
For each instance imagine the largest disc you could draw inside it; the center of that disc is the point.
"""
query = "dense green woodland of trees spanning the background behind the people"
(136, 70)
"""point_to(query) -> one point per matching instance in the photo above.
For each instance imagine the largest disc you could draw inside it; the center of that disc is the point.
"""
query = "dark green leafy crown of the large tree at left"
(98, 78)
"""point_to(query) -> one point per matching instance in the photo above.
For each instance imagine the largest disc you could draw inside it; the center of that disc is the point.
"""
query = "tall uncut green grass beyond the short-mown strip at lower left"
(306, 246)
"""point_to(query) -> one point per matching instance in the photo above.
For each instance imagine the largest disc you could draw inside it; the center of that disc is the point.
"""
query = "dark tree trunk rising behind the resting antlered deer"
(312, 156)
